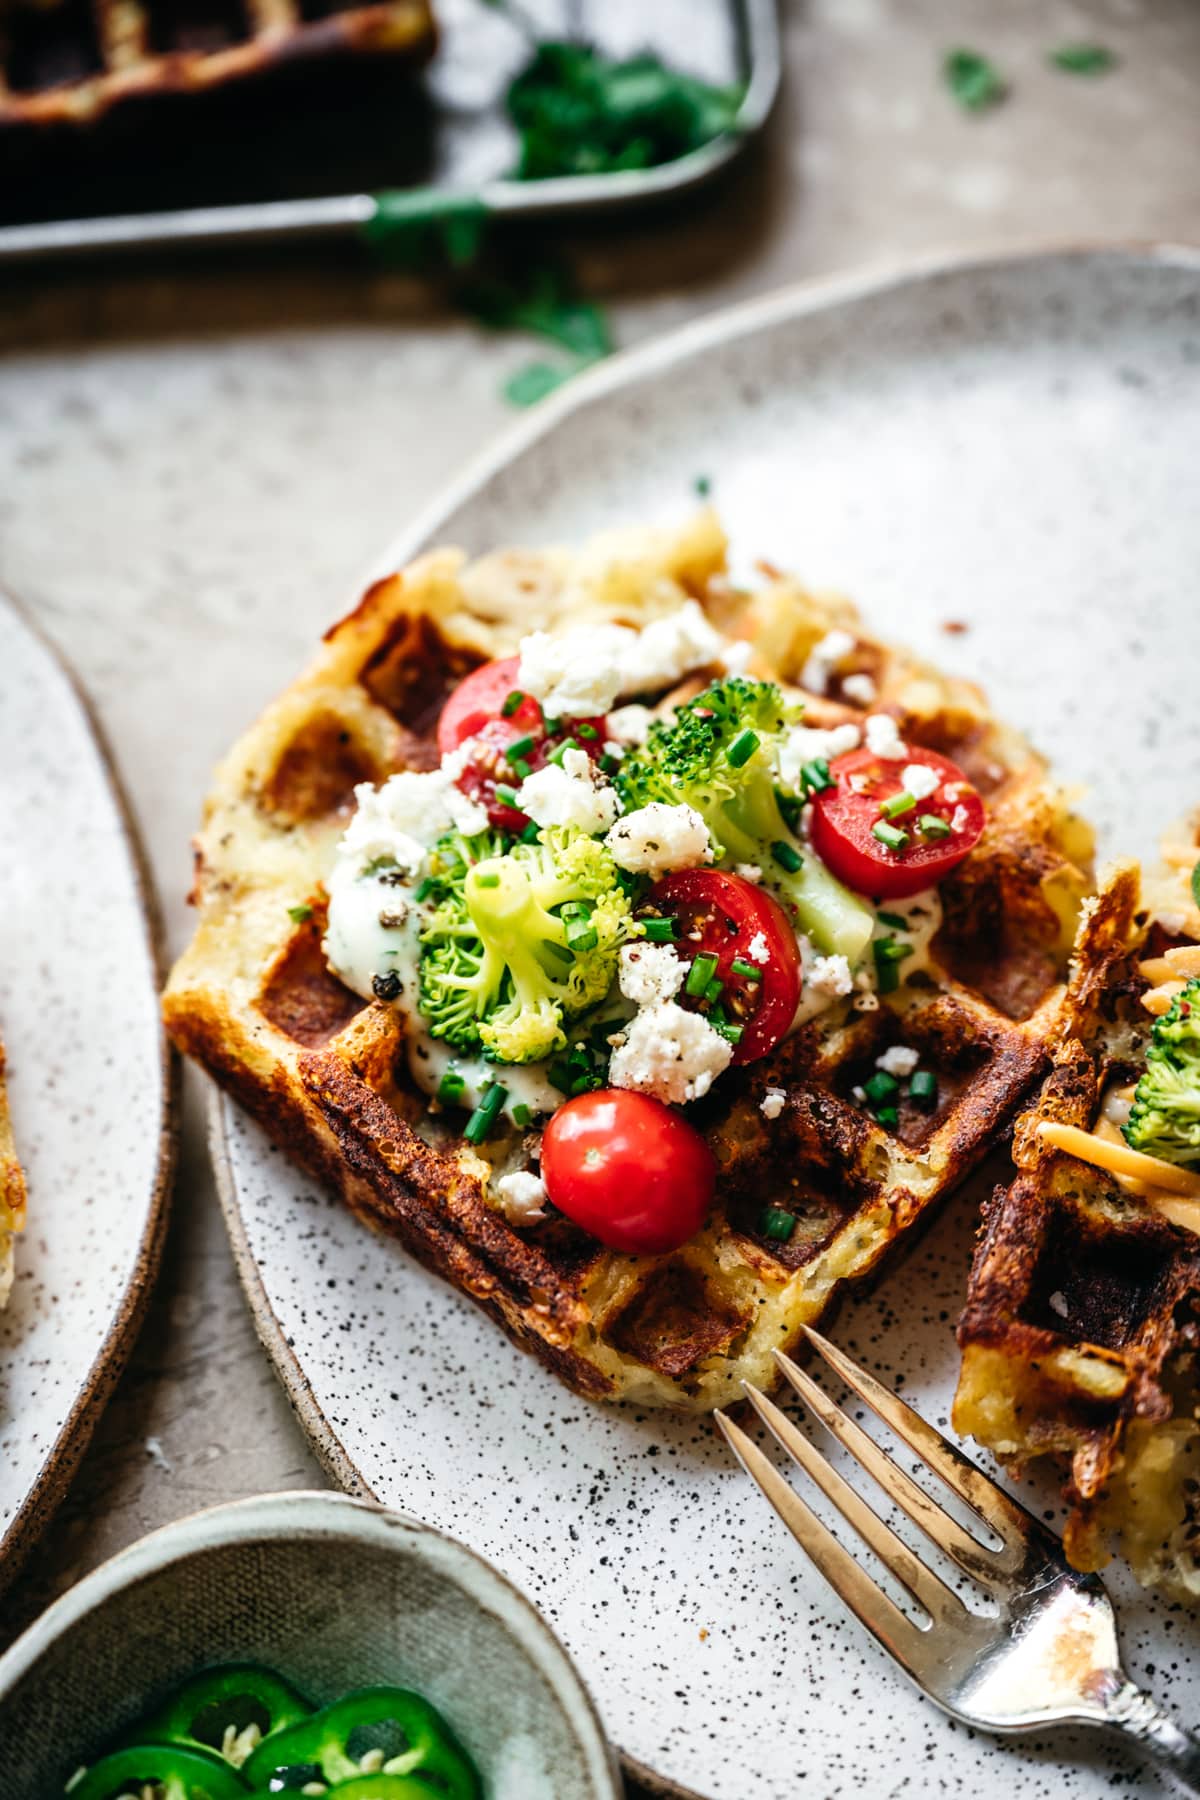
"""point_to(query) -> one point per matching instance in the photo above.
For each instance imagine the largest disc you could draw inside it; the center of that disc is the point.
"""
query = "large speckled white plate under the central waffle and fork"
(1010, 447)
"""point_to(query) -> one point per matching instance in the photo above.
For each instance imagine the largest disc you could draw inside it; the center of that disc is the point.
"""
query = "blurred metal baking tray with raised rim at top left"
(375, 148)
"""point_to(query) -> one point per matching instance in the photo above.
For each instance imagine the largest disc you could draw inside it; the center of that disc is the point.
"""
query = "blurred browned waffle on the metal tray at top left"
(64, 62)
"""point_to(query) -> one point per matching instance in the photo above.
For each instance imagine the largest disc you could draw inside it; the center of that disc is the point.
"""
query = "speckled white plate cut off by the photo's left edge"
(89, 1081)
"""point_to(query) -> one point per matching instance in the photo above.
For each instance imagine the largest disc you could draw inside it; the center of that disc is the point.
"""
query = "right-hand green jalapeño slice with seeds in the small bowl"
(413, 1736)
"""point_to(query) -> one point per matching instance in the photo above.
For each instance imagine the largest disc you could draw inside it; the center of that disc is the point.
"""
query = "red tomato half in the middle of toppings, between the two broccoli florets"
(726, 917)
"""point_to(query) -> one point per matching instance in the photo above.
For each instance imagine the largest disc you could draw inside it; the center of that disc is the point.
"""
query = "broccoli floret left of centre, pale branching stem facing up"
(521, 942)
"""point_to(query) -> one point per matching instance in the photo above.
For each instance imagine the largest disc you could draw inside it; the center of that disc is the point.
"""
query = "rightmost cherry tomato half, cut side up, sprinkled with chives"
(845, 820)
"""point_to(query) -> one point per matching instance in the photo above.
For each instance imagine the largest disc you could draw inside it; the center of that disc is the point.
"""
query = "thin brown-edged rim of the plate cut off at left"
(111, 1358)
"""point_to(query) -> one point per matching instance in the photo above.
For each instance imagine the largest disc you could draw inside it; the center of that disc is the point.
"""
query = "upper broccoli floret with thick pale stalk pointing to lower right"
(721, 755)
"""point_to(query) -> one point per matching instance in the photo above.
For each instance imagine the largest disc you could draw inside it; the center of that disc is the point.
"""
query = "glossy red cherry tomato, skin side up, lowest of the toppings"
(629, 1169)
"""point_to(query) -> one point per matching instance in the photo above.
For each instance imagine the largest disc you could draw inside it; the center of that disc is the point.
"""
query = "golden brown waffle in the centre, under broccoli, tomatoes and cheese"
(325, 1072)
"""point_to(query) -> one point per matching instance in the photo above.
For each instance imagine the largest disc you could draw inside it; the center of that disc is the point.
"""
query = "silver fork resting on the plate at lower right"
(1048, 1657)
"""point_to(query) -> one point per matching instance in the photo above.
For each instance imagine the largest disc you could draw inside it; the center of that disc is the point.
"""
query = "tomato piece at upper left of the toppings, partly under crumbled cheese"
(476, 710)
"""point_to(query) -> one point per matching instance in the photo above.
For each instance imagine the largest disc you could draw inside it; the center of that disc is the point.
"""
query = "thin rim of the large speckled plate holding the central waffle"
(616, 373)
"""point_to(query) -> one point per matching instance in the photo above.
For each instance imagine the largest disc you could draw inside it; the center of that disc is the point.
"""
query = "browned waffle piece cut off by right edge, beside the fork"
(1080, 1329)
